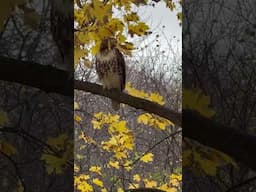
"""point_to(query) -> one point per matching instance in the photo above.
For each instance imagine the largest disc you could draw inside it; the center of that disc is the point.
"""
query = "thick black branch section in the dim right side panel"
(239, 145)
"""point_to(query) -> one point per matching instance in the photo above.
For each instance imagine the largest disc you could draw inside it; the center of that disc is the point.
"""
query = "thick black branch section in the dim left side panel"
(46, 78)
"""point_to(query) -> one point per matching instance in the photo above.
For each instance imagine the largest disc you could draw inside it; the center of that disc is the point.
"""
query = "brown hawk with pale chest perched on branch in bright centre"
(110, 67)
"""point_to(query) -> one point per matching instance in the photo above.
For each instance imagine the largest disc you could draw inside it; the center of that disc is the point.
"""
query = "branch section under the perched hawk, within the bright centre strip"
(135, 102)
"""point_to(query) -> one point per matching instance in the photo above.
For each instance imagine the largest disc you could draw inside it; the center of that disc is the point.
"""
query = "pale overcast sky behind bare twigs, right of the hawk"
(169, 37)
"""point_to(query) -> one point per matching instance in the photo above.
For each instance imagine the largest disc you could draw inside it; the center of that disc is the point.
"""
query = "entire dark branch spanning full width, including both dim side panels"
(229, 140)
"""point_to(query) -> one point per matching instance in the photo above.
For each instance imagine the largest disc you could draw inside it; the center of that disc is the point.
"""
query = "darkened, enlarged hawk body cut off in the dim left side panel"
(62, 25)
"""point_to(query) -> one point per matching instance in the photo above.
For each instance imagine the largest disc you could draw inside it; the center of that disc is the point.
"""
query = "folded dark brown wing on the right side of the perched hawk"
(122, 71)
